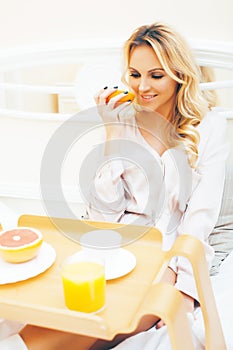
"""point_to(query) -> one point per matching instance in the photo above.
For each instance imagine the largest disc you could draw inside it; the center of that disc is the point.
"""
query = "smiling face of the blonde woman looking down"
(153, 87)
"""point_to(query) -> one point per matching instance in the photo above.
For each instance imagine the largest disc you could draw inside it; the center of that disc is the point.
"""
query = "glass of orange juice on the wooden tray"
(84, 286)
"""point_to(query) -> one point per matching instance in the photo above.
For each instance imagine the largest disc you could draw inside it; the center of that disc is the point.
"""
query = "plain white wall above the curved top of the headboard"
(27, 22)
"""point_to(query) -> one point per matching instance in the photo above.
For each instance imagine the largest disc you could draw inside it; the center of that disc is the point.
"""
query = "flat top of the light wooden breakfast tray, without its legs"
(39, 300)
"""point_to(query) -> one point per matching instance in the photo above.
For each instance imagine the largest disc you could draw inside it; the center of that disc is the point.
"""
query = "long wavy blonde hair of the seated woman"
(178, 62)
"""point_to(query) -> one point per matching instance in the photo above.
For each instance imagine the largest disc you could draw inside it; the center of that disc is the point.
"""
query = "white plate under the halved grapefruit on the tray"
(11, 273)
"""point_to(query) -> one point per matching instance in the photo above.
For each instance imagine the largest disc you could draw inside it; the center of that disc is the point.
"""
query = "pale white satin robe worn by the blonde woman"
(138, 186)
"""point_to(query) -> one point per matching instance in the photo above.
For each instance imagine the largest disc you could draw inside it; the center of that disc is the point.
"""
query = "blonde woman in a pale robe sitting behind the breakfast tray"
(175, 178)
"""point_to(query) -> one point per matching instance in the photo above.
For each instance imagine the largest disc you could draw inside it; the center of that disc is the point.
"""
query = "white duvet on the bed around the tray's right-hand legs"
(223, 290)
